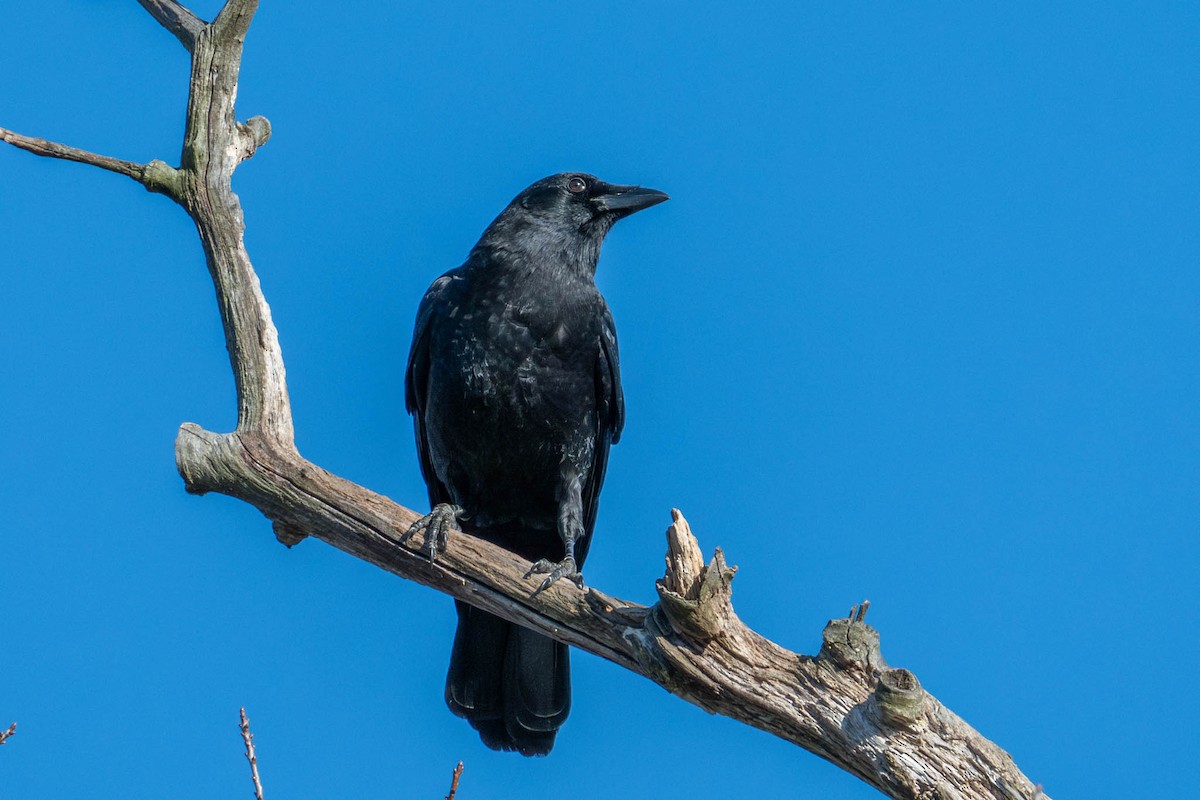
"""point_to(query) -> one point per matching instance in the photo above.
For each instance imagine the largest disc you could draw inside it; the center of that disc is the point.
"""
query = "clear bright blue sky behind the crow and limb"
(919, 326)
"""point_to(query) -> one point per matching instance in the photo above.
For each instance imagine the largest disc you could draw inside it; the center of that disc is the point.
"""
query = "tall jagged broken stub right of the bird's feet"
(694, 598)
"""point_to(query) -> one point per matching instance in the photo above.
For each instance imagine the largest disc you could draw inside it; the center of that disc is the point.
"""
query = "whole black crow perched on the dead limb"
(514, 384)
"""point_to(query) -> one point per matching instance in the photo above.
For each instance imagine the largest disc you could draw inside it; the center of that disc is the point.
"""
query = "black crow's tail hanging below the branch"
(513, 685)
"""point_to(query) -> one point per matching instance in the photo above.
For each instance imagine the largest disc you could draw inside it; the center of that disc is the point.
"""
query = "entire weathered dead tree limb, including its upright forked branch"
(844, 705)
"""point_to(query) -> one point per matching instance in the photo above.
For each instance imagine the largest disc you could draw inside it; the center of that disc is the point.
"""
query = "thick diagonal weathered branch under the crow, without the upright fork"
(843, 705)
